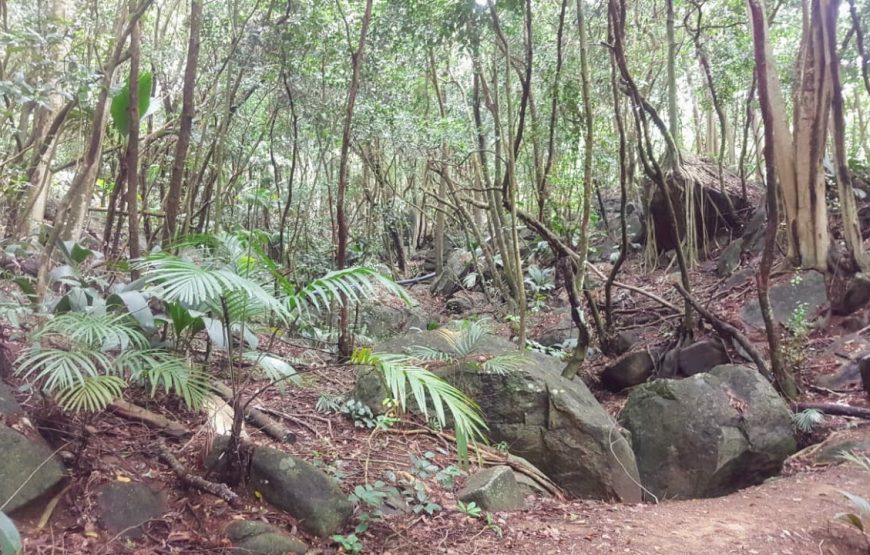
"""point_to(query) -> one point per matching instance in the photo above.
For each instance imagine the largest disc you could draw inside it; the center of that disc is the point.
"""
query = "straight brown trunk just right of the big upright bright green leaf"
(173, 201)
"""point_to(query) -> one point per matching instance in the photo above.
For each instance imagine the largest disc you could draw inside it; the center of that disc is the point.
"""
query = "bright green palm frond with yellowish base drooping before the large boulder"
(401, 374)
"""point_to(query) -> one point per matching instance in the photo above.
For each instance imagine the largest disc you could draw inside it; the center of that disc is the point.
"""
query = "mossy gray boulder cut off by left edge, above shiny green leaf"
(29, 462)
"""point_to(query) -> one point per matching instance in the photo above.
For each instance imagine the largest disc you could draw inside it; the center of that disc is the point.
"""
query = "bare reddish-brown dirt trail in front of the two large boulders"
(791, 515)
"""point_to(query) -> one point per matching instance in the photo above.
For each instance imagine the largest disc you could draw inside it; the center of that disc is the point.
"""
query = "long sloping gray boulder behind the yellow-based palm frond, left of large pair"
(554, 423)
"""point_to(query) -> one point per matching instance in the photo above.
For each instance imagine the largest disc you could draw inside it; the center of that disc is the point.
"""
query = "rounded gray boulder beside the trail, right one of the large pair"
(708, 435)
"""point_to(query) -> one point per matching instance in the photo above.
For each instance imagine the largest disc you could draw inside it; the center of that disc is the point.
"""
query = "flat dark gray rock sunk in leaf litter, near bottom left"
(127, 507)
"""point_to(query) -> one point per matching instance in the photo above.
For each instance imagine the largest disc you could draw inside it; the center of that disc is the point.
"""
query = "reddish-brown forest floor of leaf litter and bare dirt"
(790, 514)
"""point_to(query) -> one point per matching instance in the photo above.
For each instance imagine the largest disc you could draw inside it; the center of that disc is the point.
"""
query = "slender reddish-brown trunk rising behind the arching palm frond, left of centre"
(345, 341)
